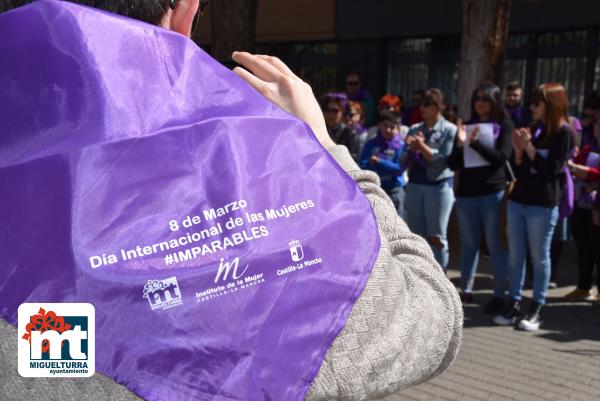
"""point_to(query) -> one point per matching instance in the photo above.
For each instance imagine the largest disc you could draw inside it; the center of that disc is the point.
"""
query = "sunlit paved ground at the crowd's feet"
(559, 362)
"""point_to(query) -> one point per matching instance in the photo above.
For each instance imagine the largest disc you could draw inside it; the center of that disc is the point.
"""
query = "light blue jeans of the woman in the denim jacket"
(428, 210)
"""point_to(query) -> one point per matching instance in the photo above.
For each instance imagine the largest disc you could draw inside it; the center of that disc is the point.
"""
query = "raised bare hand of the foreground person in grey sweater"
(274, 80)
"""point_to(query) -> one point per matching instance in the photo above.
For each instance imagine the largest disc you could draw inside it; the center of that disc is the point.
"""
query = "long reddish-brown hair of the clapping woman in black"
(554, 97)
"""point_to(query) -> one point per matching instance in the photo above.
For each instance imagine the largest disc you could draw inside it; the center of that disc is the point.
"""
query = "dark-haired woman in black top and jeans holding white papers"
(480, 190)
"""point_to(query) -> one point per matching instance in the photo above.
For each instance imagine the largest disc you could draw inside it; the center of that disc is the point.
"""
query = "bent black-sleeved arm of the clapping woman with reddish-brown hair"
(550, 167)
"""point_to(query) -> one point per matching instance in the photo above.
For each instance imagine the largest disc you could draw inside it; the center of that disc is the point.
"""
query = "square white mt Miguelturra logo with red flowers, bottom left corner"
(56, 340)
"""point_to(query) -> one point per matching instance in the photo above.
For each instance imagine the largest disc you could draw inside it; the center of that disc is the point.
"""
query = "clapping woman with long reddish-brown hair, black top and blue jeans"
(540, 155)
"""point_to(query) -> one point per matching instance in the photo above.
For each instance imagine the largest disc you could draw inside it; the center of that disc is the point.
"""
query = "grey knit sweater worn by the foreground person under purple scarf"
(405, 328)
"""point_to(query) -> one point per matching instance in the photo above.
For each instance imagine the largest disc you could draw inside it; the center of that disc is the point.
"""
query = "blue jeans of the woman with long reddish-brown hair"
(533, 227)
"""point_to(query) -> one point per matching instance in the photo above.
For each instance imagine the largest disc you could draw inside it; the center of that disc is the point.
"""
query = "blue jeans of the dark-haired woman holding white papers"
(472, 213)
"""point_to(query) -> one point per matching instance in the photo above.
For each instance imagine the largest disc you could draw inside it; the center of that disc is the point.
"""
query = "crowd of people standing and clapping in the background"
(521, 177)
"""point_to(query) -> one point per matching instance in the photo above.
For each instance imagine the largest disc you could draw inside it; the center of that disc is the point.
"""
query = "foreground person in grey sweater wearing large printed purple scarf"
(112, 144)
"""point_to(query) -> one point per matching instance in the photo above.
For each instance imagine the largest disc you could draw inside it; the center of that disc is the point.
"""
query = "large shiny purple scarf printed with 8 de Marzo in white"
(111, 130)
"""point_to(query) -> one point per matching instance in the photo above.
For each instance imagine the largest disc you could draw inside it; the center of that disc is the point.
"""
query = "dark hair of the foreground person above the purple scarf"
(150, 11)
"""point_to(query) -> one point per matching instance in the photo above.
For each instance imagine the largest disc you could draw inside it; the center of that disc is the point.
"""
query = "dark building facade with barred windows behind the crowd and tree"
(401, 46)
